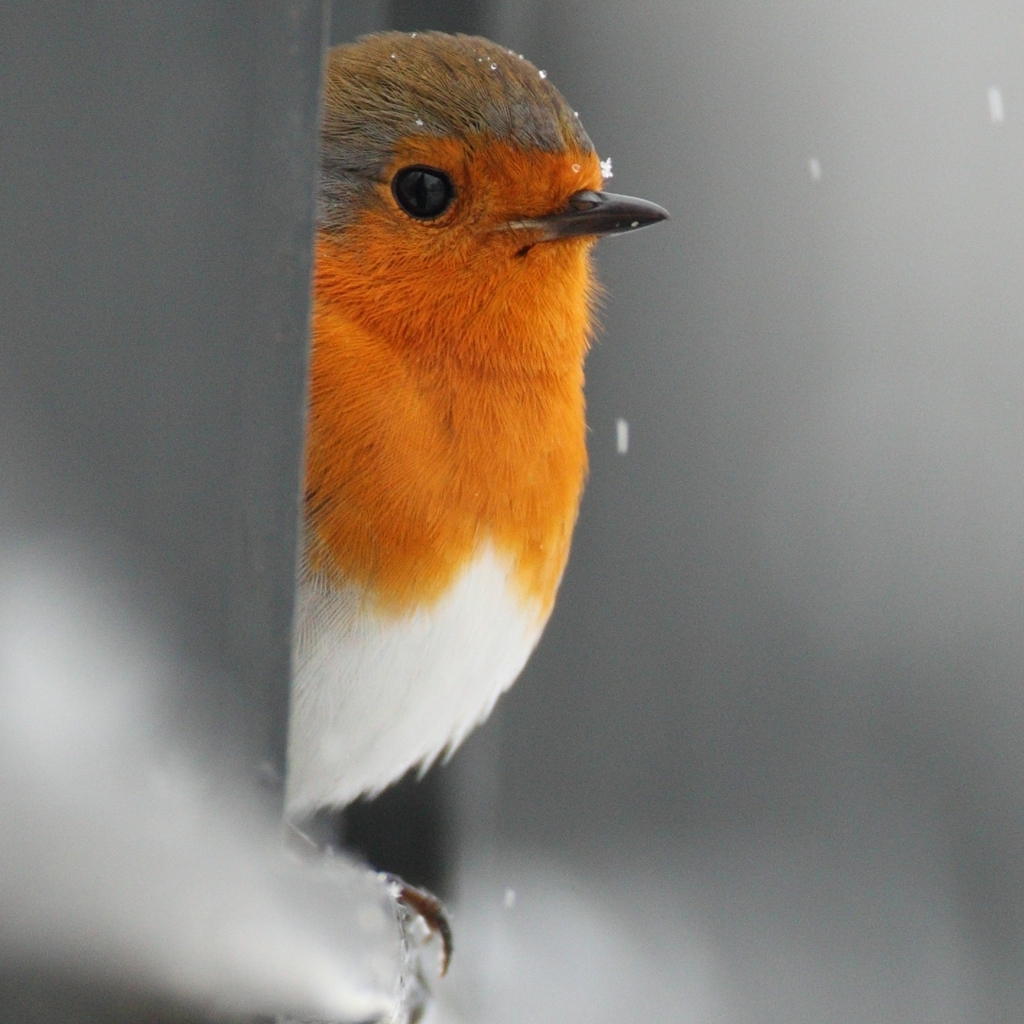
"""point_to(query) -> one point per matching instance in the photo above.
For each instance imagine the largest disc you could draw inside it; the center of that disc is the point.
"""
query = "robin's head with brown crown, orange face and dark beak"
(457, 188)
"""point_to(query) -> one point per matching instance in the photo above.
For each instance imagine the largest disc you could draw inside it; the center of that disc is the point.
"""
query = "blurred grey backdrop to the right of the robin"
(784, 687)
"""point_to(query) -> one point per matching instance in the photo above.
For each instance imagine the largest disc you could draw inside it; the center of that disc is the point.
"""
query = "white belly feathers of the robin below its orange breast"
(374, 695)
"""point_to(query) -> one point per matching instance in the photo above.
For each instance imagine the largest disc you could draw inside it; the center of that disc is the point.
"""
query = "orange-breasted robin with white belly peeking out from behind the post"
(453, 306)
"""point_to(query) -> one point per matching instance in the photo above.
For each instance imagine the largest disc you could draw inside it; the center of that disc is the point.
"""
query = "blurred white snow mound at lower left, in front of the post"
(120, 861)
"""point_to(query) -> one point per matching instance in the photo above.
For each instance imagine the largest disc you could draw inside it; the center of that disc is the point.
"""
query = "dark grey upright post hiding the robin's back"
(156, 194)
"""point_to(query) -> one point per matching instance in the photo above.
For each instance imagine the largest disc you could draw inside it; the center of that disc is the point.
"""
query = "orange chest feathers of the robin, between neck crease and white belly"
(411, 467)
